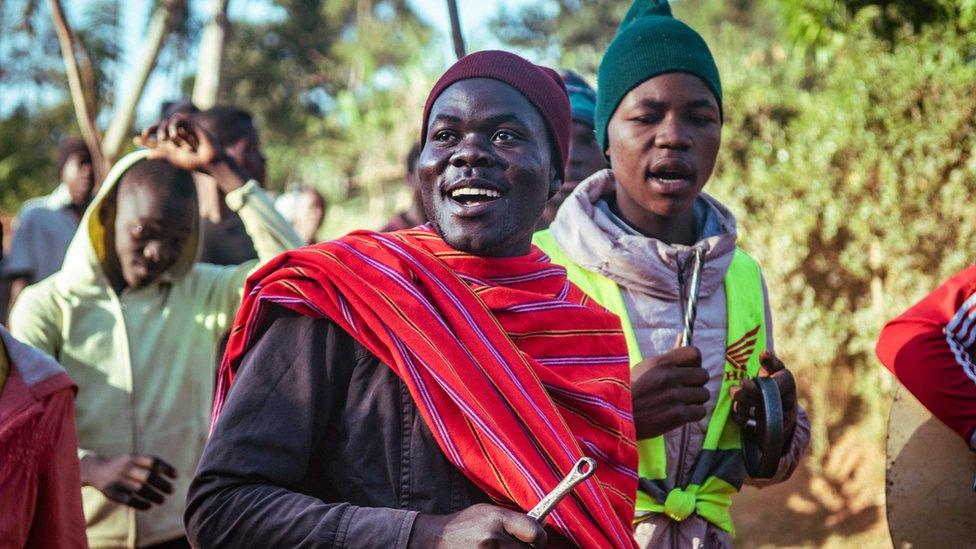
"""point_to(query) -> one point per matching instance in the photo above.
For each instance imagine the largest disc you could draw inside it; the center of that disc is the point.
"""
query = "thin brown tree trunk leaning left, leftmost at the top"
(82, 99)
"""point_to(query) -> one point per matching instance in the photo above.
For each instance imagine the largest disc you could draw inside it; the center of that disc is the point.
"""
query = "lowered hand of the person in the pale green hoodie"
(138, 481)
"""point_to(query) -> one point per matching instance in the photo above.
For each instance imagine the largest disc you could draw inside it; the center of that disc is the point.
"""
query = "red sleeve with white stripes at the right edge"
(930, 350)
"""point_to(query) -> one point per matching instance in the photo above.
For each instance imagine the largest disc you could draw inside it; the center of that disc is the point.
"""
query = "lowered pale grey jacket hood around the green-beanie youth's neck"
(598, 243)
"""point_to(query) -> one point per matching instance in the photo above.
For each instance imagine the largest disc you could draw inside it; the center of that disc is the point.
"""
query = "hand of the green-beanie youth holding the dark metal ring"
(747, 400)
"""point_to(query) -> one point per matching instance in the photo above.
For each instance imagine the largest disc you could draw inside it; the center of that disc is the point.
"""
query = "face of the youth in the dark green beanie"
(662, 141)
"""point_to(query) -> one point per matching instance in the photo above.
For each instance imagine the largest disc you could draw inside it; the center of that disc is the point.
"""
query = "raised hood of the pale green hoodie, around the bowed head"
(83, 270)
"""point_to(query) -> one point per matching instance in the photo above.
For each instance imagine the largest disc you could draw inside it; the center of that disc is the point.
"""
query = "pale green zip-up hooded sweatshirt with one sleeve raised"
(143, 359)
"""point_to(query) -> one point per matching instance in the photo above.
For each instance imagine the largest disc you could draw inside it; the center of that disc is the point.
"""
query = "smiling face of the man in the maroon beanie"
(487, 168)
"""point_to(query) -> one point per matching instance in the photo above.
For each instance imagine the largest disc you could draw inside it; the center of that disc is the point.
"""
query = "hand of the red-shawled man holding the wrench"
(481, 525)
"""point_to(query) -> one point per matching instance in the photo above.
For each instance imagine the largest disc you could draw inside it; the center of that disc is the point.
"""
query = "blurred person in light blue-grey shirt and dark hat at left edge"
(46, 224)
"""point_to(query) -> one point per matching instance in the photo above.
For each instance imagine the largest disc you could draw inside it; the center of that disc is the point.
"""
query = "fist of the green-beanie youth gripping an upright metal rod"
(668, 391)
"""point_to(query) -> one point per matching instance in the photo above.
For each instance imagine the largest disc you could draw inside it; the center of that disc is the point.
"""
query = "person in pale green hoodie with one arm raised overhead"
(135, 321)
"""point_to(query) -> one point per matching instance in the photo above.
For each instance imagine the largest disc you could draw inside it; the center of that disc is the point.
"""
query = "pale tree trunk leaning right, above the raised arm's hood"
(121, 125)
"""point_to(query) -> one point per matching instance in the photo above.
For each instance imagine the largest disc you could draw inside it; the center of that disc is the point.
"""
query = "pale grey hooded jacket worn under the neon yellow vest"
(646, 270)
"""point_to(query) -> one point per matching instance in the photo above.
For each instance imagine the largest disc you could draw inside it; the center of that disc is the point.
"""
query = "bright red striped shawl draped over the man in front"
(517, 372)
